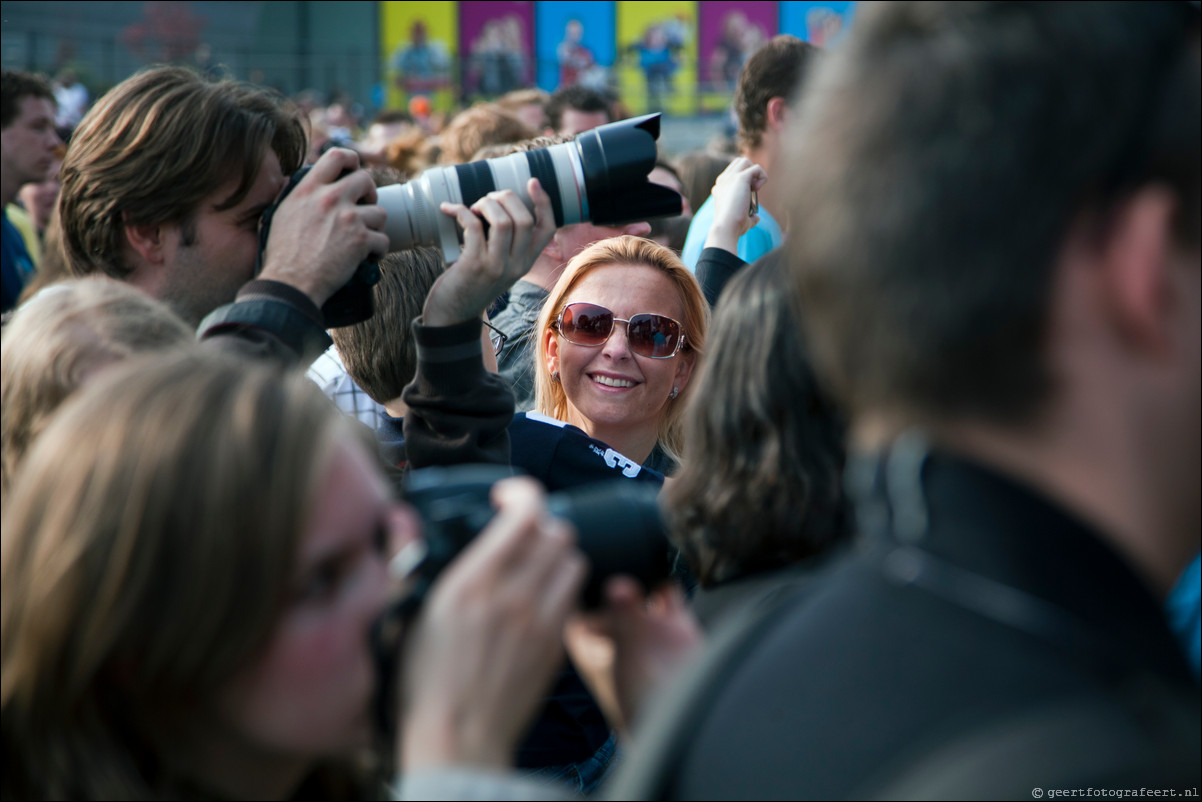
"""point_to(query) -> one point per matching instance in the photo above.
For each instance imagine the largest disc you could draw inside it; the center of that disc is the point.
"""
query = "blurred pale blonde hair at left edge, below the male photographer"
(57, 337)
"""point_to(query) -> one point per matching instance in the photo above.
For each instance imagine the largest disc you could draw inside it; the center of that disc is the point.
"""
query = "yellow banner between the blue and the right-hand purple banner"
(658, 56)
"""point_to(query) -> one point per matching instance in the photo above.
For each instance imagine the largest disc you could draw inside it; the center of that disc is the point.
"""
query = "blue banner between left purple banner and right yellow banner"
(575, 44)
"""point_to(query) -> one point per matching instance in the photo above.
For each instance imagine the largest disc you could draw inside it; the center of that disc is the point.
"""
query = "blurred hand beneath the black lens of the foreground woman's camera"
(632, 646)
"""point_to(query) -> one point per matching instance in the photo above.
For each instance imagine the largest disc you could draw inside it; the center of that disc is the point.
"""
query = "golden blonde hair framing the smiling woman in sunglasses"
(550, 396)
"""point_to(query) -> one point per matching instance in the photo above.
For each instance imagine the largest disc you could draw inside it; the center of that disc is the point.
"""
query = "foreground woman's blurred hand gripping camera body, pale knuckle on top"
(490, 637)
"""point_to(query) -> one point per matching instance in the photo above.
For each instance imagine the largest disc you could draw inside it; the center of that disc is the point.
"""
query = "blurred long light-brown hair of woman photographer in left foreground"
(148, 553)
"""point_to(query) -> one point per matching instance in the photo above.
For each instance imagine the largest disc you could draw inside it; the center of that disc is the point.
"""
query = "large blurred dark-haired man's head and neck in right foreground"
(1001, 245)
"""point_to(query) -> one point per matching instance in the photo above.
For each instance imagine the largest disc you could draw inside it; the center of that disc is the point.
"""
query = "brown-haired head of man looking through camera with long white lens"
(166, 180)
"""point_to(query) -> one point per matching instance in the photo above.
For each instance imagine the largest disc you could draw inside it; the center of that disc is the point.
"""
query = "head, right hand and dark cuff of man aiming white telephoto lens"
(164, 187)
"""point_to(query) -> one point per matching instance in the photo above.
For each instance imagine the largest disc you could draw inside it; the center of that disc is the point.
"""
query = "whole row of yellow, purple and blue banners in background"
(681, 57)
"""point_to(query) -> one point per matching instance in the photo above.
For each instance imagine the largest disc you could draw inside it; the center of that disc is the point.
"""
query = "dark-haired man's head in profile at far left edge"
(27, 132)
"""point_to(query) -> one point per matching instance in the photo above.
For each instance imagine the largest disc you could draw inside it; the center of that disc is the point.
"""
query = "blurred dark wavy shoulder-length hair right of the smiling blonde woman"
(761, 489)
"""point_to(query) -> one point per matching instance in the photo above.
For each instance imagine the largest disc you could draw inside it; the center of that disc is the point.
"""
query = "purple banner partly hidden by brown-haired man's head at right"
(729, 32)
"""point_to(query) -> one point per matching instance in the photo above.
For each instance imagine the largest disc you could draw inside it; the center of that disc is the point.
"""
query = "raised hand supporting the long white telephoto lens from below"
(490, 263)
